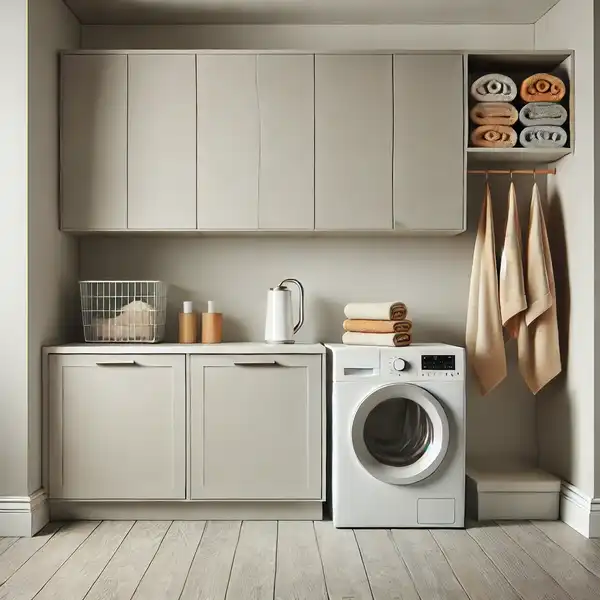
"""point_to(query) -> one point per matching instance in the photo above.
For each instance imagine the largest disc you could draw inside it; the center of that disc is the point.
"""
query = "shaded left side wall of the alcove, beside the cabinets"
(52, 256)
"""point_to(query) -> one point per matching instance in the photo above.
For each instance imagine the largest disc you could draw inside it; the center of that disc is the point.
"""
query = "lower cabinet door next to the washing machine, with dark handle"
(256, 429)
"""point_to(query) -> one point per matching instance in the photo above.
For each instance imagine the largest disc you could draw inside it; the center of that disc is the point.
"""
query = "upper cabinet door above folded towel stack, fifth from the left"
(353, 142)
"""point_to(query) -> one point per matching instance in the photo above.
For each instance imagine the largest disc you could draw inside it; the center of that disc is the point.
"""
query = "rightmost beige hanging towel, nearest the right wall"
(539, 349)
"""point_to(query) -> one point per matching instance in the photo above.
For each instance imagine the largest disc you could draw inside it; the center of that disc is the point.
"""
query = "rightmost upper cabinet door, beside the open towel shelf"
(428, 136)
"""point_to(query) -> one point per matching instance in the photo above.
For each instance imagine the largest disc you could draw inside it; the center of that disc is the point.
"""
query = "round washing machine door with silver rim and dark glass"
(400, 433)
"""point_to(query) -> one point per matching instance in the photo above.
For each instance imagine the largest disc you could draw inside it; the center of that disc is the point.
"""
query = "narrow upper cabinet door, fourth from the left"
(286, 176)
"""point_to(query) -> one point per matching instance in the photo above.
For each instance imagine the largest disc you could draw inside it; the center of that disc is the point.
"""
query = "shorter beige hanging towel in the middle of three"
(512, 285)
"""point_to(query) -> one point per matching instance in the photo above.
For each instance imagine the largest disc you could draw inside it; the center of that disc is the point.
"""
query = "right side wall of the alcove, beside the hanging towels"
(566, 417)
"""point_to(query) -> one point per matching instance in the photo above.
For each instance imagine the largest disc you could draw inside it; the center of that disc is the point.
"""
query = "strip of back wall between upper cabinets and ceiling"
(312, 37)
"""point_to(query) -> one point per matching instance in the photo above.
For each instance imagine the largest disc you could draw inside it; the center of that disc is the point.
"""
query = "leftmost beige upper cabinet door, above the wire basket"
(94, 142)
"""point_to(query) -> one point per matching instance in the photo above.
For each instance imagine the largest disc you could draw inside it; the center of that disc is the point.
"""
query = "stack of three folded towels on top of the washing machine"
(377, 324)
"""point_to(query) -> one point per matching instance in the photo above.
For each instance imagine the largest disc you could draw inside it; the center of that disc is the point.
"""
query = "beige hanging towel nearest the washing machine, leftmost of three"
(485, 343)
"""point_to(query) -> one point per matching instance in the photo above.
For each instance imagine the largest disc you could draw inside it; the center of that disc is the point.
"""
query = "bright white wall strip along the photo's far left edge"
(13, 247)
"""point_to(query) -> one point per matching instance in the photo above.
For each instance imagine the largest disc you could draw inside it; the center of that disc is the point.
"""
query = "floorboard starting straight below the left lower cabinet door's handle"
(75, 578)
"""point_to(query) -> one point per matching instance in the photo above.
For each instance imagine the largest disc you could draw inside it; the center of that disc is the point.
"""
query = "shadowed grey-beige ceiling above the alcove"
(308, 11)
